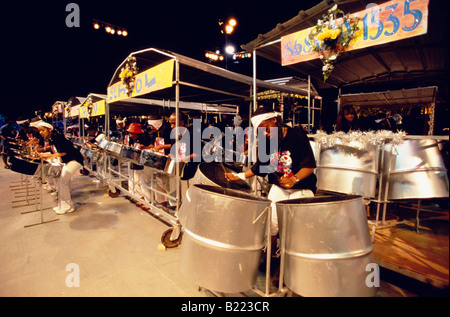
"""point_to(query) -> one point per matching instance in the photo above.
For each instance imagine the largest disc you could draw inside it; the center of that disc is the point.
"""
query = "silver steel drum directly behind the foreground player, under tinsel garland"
(348, 170)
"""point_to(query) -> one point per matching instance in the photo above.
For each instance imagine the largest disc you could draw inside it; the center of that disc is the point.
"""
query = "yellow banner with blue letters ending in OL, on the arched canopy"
(153, 79)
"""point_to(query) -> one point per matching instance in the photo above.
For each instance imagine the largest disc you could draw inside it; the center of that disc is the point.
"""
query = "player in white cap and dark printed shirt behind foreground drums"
(289, 163)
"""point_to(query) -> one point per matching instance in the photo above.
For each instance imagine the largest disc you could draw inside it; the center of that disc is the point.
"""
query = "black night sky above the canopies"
(45, 61)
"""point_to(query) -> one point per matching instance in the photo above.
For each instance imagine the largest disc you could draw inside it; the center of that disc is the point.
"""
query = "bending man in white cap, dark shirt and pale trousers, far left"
(72, 161)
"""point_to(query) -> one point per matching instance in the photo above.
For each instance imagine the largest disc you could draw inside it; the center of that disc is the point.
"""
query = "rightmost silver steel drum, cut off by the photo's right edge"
(415, 170)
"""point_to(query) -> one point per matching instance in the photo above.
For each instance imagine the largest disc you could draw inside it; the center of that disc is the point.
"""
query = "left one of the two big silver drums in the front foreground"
(223, 238)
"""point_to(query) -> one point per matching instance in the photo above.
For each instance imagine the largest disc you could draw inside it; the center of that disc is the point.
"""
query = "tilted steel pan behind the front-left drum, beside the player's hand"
(213, 174)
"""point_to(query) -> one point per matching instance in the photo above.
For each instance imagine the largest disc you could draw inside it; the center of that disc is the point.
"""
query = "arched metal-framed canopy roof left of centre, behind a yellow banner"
(202, 82)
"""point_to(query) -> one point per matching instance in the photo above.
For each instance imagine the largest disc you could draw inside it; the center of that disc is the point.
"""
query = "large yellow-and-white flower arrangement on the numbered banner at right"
(330, 39)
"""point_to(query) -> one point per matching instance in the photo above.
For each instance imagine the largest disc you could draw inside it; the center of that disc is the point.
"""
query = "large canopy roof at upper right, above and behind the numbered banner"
(415, 60)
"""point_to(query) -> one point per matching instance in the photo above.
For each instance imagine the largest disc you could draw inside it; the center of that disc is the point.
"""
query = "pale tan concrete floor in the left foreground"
(112, 242)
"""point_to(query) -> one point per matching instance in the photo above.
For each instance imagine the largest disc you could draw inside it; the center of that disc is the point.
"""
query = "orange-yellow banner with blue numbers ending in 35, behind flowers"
(387, 22)
